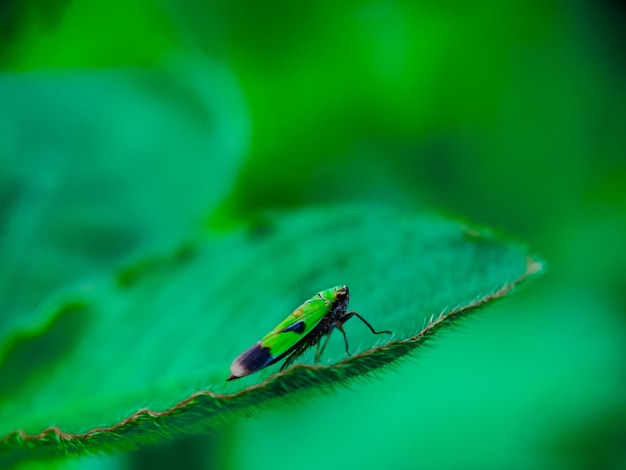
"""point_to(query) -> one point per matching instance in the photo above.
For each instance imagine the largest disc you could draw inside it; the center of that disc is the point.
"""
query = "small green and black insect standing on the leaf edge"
(304, 328)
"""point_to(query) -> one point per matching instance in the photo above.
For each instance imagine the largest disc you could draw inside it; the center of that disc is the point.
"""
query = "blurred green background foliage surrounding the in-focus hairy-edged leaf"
(125, 126)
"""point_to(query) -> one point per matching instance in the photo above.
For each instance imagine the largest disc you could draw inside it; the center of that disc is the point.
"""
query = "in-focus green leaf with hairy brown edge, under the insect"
(143, 358)
